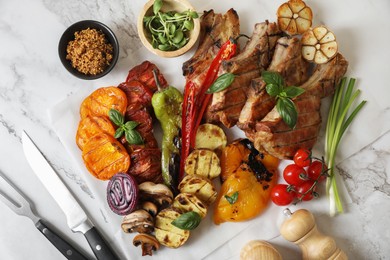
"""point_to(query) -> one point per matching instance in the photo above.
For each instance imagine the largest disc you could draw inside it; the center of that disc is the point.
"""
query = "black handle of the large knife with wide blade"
(99, 246)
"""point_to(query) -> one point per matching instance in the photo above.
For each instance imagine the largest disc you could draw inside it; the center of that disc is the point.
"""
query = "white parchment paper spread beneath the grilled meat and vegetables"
(230, 237)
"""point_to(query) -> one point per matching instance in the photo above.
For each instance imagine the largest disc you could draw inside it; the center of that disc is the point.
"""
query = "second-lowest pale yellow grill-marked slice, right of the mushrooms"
(187, 202)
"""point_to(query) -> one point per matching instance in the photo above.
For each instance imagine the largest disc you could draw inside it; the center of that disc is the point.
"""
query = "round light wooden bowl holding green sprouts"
(168, 5)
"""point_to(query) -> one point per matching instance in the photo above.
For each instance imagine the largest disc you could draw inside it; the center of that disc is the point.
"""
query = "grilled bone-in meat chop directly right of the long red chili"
(226, 105)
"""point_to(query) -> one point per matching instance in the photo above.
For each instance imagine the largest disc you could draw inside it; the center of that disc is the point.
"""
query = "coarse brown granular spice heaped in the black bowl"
(89, 53)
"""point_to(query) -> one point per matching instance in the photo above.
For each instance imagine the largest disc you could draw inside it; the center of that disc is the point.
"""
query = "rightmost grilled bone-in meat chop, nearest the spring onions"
(276, 138)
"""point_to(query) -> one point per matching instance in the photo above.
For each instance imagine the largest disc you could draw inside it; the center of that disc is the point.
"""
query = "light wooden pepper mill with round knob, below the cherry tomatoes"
(301, 229)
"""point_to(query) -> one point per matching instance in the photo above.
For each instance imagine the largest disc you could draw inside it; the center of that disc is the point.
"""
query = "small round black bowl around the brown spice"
(68, 36)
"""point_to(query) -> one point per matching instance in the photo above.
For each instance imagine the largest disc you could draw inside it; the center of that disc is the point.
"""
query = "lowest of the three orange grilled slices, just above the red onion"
(104, 156)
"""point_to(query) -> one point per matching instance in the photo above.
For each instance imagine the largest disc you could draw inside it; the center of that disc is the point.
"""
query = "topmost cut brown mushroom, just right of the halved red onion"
(158, 193)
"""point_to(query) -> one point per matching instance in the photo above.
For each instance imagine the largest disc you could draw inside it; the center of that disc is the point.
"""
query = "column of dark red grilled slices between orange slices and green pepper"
(139, 88)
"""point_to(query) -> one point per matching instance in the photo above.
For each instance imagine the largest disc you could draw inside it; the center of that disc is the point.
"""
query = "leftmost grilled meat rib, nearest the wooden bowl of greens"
(216, 29)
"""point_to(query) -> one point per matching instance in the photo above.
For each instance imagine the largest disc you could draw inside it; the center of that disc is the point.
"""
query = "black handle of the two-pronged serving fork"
(64, 247)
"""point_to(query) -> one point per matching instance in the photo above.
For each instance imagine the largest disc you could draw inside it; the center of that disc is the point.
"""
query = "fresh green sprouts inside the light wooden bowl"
(169, 31)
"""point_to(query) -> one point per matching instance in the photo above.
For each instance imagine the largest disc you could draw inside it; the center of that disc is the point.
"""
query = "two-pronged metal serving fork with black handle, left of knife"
(20, 205)
